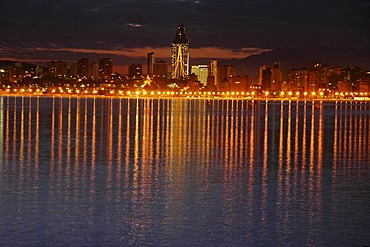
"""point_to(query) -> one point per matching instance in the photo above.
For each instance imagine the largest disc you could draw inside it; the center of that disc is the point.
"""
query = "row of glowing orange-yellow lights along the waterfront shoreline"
(172, 93)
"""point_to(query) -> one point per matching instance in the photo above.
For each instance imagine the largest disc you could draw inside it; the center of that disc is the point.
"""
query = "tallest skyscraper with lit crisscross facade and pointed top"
(180, 54)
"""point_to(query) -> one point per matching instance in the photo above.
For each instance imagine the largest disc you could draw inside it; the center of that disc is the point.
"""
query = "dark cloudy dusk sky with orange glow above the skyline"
(126, 30)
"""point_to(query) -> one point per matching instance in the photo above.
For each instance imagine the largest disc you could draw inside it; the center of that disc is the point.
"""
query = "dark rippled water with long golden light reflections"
(183, 172)
